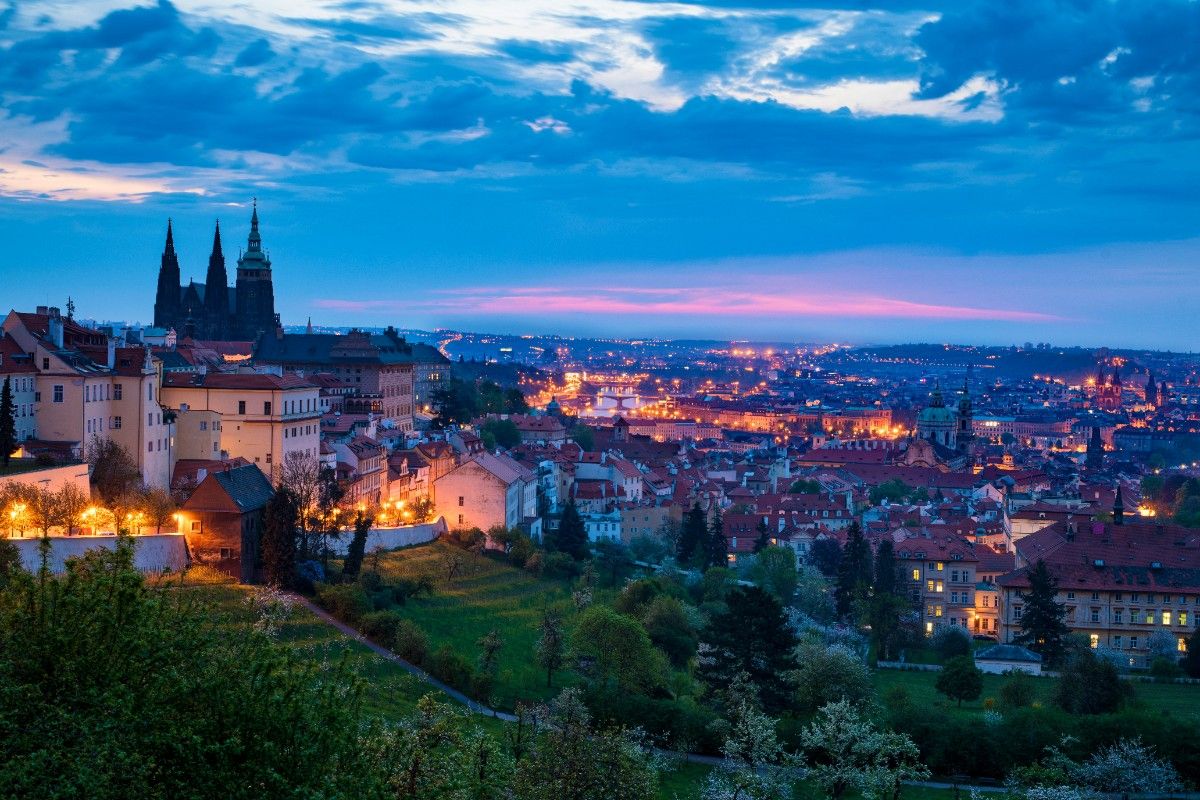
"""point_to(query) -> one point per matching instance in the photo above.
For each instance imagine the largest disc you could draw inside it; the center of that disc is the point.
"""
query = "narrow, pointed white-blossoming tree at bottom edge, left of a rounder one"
(755, 767)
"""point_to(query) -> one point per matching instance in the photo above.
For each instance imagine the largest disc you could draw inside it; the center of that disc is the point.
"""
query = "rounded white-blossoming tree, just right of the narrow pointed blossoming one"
(845, 751)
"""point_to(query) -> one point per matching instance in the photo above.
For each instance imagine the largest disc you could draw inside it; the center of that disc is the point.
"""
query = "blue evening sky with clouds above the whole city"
(973, 172)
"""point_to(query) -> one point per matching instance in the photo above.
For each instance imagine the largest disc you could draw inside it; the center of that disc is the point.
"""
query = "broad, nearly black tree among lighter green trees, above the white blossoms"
(751, 636)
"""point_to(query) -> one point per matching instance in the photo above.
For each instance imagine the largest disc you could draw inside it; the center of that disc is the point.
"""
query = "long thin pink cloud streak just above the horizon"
(524, 302)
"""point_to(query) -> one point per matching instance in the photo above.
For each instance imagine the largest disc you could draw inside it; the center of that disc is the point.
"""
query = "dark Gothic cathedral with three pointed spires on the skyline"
(215, 311)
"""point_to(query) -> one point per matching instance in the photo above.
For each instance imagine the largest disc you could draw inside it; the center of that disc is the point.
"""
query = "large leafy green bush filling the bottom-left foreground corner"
(185, 675)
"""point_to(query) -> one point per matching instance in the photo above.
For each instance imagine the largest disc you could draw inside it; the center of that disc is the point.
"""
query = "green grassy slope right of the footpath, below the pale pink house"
(487, 596)
